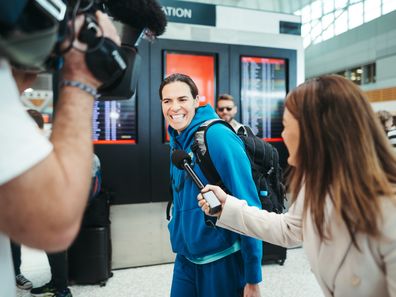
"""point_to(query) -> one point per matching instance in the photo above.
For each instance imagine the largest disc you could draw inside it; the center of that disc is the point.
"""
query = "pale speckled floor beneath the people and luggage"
(293, 279)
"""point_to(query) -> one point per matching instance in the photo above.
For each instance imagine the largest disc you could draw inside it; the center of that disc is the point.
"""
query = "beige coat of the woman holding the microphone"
(339, 267)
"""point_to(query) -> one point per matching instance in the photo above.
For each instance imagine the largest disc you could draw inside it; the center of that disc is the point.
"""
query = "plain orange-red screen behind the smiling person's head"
(202, 70)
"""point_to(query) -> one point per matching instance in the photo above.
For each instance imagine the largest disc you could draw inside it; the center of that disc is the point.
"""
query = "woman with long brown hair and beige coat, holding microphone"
(343, 187)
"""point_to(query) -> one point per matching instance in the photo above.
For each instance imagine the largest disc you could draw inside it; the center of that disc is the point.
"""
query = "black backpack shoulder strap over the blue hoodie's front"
(201, 152)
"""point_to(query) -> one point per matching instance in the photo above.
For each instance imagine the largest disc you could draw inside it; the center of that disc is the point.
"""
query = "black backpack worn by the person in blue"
(264, 161)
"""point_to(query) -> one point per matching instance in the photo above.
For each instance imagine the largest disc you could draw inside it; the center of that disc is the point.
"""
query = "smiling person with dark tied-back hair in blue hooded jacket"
(210, 261)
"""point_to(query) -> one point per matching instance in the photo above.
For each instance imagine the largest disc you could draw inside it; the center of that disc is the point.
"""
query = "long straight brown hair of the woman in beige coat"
(343, 152)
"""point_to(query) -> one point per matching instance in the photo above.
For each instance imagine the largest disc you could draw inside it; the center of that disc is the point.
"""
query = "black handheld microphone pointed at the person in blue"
(182, 161)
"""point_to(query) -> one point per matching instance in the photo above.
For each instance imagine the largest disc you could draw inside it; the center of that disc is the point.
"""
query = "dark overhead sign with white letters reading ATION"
(189, 12)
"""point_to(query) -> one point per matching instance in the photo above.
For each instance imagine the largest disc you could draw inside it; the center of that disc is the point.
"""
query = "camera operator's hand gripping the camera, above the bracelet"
(75, 67)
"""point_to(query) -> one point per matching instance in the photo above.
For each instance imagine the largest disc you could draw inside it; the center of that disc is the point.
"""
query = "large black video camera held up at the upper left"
(32, 31)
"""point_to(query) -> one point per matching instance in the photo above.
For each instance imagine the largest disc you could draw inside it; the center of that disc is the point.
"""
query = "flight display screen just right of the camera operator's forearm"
(114, 122)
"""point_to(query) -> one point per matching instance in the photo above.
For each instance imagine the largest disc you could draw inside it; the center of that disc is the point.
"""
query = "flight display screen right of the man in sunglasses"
(263, 91)
